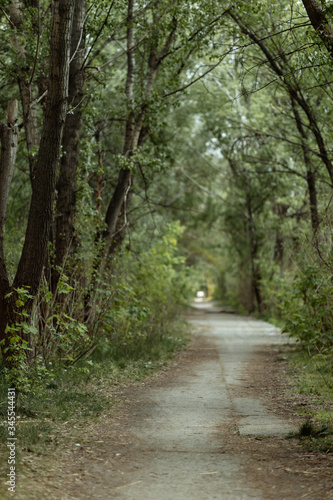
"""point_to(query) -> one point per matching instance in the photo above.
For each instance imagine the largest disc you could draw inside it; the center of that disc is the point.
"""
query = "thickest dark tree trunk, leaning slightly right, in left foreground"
(30, 267)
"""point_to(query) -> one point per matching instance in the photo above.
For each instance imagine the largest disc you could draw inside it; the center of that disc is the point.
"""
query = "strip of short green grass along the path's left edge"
(80, 392)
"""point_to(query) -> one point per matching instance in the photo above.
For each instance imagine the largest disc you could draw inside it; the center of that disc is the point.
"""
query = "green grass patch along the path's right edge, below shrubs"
(313, 377)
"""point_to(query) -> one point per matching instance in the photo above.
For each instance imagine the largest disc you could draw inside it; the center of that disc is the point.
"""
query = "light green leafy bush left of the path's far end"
(148, 292)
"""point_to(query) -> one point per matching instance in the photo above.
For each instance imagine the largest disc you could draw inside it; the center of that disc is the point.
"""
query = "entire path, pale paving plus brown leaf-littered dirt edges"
(212, 425)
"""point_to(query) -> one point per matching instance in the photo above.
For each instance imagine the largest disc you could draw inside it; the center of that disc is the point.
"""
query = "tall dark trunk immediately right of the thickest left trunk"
(67, 186)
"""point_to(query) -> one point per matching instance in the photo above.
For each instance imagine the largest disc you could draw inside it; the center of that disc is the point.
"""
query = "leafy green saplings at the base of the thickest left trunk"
(30, 342)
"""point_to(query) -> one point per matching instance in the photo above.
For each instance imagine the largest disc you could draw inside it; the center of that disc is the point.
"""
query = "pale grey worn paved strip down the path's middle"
(178, 430)
